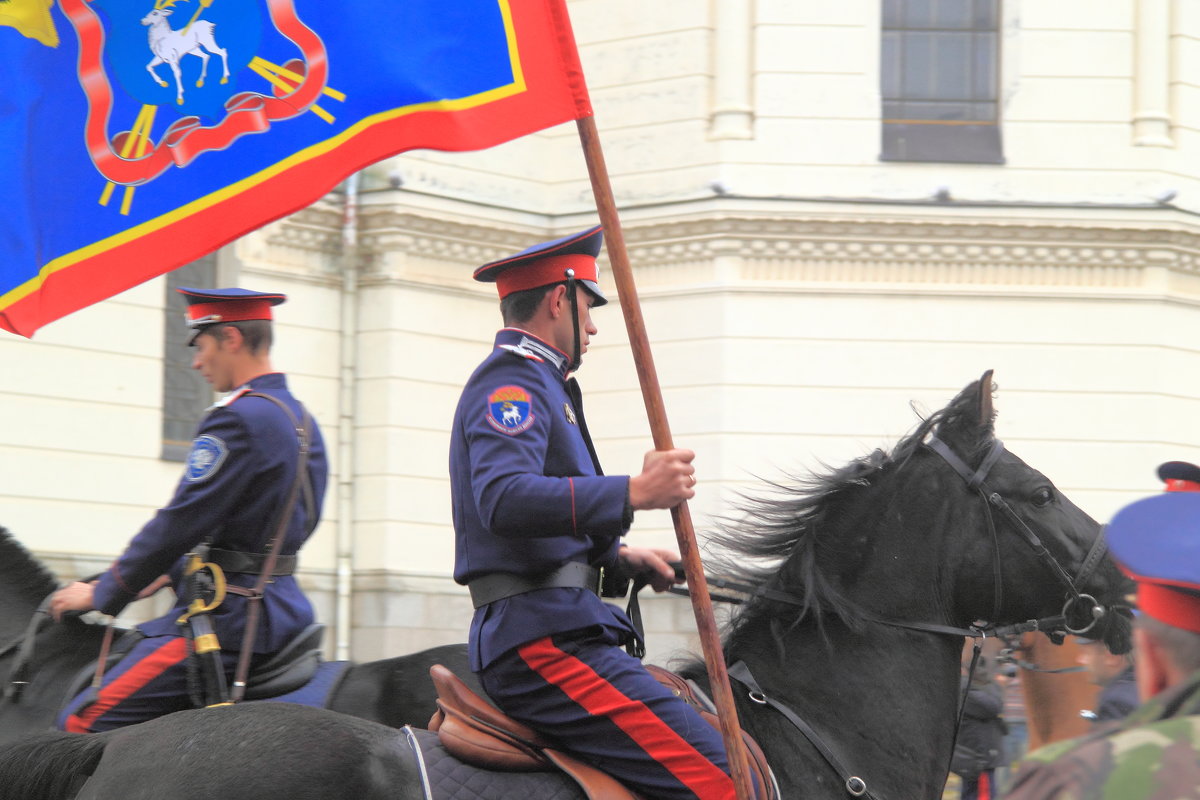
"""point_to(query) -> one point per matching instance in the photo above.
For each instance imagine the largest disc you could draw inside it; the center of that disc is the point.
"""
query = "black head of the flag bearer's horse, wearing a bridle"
(1023, 551)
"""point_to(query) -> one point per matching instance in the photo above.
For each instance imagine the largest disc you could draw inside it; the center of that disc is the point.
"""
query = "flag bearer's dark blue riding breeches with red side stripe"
(597, 702)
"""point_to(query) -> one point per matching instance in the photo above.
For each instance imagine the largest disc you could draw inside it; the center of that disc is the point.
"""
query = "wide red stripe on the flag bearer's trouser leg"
(596, 695)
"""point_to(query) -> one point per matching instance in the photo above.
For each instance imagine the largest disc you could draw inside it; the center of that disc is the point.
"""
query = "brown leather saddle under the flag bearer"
(478, 733)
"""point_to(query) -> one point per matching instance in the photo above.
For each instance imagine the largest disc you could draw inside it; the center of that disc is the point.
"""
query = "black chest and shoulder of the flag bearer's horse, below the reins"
(884, 699)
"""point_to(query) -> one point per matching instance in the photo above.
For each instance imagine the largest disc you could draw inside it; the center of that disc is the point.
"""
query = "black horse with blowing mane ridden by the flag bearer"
(847, 659)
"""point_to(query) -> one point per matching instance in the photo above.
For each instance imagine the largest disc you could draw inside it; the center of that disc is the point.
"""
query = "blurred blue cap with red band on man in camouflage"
(1157, 543)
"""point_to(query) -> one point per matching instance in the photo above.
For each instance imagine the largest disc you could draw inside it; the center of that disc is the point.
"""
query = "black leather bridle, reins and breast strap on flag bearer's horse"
(976, 480)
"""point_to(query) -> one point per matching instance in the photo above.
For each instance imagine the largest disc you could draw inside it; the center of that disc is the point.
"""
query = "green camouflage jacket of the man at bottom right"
(1151, 755)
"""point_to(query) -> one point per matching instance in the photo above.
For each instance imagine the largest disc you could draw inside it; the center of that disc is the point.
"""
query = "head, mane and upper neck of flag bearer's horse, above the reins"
(950, 528)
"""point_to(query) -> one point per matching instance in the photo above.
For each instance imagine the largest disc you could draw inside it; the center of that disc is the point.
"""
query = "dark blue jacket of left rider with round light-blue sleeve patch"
(238, 478)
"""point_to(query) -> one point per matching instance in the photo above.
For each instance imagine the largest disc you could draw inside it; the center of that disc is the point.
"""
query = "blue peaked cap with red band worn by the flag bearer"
(548, 264)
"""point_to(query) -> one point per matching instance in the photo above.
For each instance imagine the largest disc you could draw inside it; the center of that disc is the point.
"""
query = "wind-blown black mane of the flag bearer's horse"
(779, 539)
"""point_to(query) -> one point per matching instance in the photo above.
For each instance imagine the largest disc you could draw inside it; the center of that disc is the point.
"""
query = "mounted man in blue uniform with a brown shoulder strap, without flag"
(232, 496)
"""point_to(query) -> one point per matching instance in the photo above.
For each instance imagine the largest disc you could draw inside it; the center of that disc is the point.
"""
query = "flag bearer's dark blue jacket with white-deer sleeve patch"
(529, 496)
